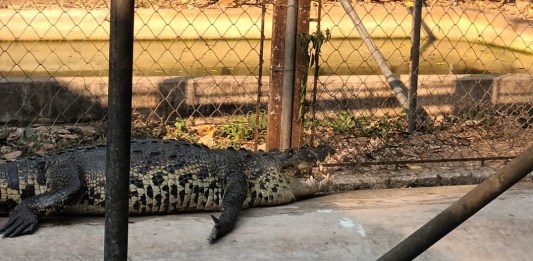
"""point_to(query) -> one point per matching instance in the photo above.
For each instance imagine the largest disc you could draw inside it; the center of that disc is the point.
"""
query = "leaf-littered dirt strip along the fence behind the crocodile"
(449, 140)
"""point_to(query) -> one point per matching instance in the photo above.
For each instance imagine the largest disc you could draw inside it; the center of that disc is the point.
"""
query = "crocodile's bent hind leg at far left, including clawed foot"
(64, 184)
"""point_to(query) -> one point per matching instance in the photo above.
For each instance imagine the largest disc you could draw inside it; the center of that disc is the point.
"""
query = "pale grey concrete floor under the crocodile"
(360, 225)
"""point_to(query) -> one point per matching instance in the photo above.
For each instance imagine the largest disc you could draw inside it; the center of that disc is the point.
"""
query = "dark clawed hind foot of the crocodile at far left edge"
(21, 221)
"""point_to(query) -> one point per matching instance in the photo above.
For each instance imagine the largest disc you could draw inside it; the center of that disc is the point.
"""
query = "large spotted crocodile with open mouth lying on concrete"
(166, 176)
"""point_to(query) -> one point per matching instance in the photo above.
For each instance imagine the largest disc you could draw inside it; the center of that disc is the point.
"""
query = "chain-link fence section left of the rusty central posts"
(196, 72)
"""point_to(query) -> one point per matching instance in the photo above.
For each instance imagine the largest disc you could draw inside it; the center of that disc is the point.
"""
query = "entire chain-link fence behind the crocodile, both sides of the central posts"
(201, 72)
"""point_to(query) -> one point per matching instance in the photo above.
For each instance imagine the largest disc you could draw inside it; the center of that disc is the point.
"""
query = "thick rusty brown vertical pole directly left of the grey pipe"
(276, 74)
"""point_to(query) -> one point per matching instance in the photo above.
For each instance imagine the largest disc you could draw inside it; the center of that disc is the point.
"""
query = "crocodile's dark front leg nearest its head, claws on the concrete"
(234, 196)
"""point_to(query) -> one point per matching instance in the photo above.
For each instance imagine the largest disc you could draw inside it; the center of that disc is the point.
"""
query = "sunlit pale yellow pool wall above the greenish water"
(492, 28)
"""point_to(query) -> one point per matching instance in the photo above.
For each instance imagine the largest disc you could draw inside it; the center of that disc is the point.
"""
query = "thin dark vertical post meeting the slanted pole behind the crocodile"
(414, 66)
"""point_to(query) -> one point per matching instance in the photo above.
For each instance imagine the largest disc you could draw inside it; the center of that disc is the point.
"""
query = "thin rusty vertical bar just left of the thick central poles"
(260, 75)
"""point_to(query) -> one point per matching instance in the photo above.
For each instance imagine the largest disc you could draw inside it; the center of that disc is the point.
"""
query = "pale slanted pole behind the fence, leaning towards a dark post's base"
(397, 86)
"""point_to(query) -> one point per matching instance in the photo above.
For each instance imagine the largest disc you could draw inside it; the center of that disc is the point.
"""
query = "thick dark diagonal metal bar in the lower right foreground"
(462, 209)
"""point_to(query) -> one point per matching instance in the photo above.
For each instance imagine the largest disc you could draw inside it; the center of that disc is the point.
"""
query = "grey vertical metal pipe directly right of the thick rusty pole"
(288, 74)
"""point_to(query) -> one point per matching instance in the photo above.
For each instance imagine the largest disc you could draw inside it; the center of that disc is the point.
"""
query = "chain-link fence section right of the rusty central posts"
(475, 81)
